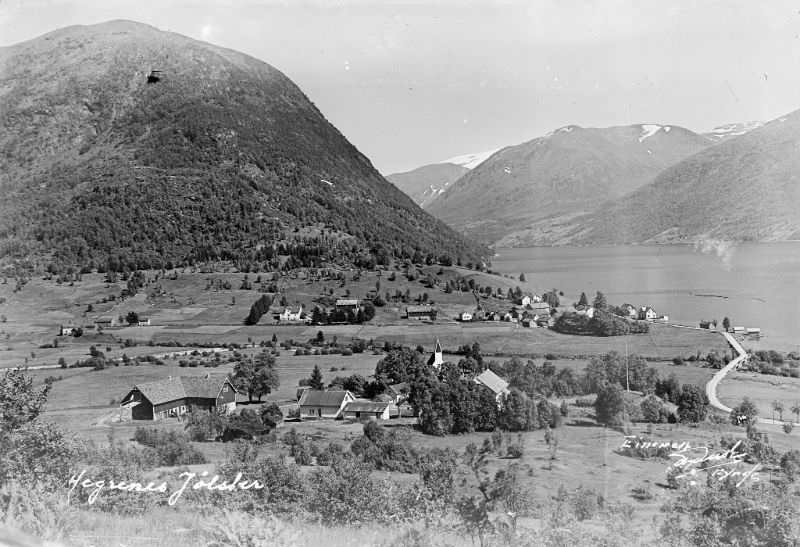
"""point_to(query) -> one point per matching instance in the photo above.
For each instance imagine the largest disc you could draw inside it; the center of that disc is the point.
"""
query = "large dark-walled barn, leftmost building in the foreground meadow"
(176, 396)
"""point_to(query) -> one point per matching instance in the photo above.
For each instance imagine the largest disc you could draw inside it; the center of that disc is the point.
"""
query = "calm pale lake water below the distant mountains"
(754, 284)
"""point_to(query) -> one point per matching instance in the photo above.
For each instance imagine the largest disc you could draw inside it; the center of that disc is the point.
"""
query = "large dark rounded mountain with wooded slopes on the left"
(124, 146)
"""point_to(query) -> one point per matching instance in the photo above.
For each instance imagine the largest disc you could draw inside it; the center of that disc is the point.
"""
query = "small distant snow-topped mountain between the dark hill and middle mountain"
(424, 184)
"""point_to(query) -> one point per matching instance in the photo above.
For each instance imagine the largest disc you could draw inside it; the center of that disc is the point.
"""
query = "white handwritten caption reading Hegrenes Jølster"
(212, 485)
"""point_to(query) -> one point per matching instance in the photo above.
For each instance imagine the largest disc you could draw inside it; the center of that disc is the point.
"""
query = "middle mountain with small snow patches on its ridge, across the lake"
(524, 194)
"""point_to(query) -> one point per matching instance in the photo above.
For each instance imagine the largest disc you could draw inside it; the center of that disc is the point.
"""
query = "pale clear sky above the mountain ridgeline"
(414, 82)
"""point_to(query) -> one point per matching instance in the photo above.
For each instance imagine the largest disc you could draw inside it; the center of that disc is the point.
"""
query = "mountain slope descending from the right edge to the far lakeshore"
(746, 188)
